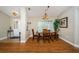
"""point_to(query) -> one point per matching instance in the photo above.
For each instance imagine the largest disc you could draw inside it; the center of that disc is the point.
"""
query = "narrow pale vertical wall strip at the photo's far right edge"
(77, 26)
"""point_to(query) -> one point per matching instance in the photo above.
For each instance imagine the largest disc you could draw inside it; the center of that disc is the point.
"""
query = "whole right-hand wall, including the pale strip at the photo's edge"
(71, 34)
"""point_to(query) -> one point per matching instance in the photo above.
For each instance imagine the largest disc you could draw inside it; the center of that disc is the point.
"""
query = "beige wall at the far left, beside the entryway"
(4, 24)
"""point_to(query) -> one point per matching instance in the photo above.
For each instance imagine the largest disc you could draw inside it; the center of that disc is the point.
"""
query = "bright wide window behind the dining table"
(45, 25)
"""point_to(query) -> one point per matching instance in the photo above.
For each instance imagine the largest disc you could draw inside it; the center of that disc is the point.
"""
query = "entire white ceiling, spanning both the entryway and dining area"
(35, 11)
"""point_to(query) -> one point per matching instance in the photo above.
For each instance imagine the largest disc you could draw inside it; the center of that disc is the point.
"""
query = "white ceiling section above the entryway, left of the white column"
(9, 9)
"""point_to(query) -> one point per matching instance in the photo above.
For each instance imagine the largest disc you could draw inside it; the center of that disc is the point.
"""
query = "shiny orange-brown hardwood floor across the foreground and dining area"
(57, 46)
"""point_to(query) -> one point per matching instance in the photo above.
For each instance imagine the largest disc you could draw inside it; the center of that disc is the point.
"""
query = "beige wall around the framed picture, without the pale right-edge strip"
(68, 34)
